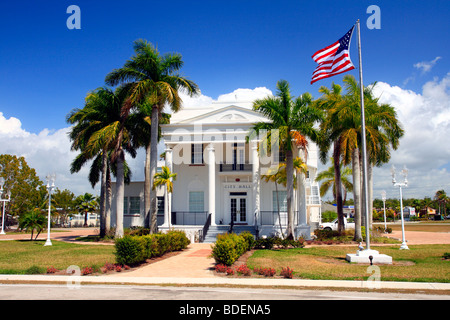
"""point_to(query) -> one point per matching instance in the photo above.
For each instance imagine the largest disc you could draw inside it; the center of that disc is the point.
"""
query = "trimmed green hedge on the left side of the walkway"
(131, 250)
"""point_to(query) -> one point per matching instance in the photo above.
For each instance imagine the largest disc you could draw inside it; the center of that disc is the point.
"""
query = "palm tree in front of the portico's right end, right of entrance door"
(294, 119)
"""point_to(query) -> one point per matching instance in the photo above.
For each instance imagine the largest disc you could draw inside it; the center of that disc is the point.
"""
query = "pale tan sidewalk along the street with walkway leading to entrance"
(193, 267)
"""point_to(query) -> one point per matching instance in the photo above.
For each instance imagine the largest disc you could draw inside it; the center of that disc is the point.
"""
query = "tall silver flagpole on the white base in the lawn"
(363, 139)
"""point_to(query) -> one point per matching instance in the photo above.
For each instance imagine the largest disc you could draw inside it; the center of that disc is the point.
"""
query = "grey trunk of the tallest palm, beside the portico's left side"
(153, 166)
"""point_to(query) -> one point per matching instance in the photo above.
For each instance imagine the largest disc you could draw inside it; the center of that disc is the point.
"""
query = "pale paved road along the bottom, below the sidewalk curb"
(125, 292)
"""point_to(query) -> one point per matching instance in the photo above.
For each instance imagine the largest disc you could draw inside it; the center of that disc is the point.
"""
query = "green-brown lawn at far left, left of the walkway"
(16, 257)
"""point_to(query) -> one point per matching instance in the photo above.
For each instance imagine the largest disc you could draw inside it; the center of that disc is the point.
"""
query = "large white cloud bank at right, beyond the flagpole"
(425, 148)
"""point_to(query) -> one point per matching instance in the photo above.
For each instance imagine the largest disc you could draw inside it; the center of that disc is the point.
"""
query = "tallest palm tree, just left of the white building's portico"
(154, 81)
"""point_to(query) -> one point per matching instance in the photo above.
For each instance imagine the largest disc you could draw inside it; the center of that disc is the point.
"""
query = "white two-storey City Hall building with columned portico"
(219, 184)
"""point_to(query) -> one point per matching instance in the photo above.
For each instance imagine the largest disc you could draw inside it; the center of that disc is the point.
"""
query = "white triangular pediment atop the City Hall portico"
(231, 114)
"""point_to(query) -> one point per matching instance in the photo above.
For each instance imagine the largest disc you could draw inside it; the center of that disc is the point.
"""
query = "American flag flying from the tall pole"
(334, 59)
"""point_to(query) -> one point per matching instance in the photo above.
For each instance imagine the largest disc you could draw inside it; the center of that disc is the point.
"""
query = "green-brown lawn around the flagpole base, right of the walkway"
(422, 263)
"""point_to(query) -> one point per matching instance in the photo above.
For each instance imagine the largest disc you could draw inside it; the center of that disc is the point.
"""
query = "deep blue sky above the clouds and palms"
(47, 69)
